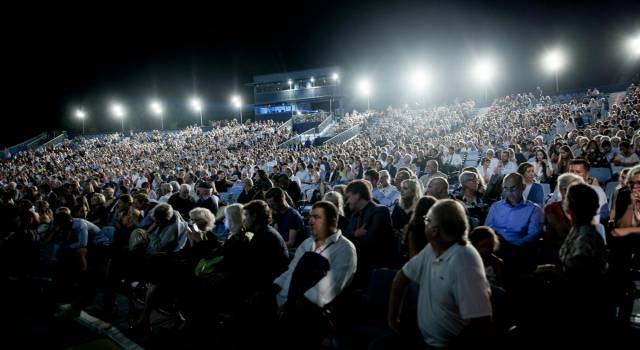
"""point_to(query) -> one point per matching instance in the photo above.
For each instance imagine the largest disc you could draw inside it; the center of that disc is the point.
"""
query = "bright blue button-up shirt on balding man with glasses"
(516, 225)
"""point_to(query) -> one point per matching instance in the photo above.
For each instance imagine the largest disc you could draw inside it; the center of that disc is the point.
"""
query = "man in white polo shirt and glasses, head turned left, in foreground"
(454, 304)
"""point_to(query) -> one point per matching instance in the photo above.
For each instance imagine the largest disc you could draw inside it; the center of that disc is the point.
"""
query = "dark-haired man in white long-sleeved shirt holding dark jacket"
(322, 268)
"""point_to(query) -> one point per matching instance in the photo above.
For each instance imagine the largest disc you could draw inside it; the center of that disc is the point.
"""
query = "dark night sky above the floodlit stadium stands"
(57, 57)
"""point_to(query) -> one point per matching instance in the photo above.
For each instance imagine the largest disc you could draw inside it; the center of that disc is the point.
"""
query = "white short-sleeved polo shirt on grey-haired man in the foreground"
(453, 288)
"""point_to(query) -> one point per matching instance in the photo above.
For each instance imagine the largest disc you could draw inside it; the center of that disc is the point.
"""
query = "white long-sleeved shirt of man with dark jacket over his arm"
(342, 257)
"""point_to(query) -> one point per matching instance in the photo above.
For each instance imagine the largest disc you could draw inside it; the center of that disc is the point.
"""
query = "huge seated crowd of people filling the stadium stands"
(489, 223)
